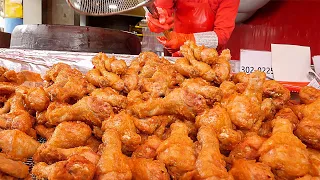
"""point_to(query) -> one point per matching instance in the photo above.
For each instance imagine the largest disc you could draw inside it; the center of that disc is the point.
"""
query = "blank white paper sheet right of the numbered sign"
(290, 63)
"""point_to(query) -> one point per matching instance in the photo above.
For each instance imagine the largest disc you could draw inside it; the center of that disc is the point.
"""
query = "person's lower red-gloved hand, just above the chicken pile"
(172, 41)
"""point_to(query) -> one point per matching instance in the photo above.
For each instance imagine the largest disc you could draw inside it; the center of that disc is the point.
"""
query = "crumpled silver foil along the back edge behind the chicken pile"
(40, 61)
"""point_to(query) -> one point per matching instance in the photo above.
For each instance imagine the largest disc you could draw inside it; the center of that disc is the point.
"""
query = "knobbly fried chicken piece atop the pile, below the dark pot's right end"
(107, 72)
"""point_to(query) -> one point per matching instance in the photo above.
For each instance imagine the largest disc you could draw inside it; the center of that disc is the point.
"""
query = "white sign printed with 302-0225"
(251, 60)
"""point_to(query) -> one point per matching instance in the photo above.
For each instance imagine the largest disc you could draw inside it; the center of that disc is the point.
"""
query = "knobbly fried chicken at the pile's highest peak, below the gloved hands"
(204, 62)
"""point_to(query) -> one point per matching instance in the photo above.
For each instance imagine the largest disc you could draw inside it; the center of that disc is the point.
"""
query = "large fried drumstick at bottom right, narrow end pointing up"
(278, 151)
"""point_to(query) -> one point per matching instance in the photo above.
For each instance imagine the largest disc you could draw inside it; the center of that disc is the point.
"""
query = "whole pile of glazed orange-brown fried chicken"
(156, 120)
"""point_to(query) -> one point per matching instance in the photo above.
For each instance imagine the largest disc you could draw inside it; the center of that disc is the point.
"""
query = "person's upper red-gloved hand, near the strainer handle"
(165, 21)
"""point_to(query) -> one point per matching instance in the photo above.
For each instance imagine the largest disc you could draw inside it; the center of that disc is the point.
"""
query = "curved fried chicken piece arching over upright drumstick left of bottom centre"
(123, 123)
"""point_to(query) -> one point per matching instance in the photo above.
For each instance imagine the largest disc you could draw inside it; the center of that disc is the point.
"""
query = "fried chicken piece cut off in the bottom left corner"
(13, 168)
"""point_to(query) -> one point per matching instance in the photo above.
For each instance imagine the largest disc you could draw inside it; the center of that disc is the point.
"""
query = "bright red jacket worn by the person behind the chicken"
(193, 16)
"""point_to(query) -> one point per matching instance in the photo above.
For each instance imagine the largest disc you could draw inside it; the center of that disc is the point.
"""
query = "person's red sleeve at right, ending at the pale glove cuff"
(225, 20)
